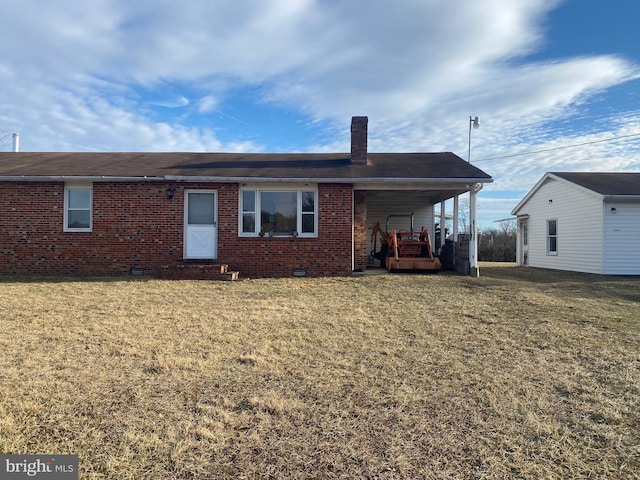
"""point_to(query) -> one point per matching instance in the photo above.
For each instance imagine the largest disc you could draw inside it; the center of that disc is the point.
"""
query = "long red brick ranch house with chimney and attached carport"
(272, 215)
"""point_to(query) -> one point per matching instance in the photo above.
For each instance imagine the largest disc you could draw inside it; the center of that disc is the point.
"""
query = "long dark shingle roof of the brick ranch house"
(417, 166)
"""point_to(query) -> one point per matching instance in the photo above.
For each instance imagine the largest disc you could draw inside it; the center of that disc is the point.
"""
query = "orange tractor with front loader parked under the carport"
(404, 249)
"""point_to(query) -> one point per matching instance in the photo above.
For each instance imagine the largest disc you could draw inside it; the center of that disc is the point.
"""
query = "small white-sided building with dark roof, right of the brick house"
(582, 222)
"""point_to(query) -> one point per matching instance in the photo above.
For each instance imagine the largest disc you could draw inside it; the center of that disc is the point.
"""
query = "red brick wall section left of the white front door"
(134, 224)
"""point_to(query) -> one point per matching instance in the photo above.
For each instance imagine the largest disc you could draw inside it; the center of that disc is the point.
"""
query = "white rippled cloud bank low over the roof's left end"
(85, 121)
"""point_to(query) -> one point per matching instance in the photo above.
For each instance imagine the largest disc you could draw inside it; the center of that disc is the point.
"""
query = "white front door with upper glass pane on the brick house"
(200, 224)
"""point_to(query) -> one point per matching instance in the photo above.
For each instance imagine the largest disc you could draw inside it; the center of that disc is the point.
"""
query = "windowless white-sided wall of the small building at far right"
(621, 238)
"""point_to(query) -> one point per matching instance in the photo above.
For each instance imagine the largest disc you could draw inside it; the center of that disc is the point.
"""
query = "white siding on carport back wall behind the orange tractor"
(381, 204)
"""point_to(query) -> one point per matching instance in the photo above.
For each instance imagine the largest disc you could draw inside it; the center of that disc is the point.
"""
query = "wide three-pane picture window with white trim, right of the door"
(278, 213)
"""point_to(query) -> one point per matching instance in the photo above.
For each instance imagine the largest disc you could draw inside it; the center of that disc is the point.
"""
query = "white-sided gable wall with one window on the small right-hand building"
(579, 216)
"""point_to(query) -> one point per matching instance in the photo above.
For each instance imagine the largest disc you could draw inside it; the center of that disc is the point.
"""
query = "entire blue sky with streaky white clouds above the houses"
(288, 75)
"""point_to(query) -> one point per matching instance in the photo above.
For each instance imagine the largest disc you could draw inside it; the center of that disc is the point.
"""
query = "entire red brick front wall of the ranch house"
(134, 224)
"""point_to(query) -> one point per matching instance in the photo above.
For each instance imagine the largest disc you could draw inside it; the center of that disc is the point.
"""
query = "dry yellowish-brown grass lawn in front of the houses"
(522, 373)
